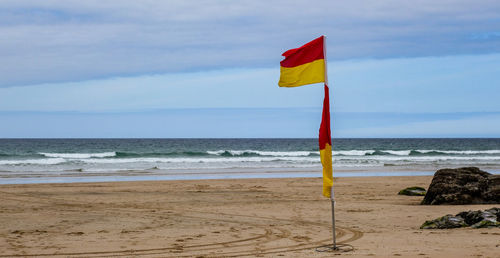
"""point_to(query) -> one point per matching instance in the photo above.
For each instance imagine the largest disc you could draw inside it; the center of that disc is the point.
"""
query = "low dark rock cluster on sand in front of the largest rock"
(475, 219)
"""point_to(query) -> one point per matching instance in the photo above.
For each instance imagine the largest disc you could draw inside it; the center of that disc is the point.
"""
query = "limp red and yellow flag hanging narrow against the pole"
(325, 146)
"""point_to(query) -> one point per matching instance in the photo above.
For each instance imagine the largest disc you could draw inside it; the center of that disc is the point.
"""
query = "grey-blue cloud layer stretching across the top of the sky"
(53, 41)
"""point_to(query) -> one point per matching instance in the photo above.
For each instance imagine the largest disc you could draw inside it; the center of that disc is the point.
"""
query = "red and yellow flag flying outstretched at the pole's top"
(303, 65)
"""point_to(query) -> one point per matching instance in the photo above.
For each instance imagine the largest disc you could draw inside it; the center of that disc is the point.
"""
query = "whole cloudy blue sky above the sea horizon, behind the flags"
(92, 69)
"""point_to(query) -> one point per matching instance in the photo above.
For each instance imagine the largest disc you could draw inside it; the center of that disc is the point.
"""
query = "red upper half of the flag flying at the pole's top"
(305, 54)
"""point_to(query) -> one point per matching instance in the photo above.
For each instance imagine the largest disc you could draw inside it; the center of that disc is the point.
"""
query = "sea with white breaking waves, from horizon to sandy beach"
(104, 160)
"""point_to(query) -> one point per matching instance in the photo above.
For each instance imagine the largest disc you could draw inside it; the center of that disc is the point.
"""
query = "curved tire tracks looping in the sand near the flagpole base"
(242, 247)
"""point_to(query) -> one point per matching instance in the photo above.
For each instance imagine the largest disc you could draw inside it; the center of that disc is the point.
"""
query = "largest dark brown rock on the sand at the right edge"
(468, 185)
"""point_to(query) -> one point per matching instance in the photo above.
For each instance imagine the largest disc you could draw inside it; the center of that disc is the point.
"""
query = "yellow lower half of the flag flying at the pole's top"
(308, 73)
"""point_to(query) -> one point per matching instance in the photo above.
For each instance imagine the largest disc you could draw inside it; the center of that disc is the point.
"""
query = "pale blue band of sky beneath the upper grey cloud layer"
(408, 85)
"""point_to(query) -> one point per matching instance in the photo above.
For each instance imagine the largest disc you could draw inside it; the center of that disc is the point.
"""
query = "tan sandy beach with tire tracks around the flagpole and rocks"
(230, 218)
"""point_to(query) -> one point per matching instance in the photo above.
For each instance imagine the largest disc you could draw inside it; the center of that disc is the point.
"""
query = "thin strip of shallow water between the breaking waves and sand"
(211, 174)
